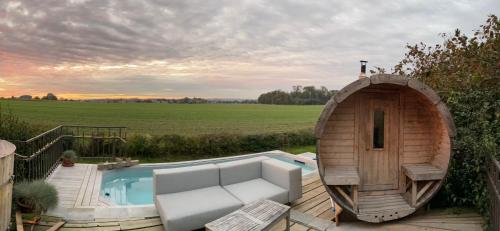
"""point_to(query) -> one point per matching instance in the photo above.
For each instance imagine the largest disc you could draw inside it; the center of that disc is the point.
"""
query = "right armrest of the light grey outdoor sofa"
(284, 175)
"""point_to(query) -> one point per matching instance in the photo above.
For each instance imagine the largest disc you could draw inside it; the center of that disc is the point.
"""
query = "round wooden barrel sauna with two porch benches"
(383, 146)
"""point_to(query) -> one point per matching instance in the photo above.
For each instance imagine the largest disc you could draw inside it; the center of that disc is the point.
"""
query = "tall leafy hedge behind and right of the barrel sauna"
(466, 72)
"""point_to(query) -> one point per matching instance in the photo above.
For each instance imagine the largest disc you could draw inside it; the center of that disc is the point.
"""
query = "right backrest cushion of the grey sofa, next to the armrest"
(241, 170)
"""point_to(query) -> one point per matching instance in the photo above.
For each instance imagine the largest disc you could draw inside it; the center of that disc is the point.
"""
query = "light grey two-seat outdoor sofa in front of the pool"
(189, 197)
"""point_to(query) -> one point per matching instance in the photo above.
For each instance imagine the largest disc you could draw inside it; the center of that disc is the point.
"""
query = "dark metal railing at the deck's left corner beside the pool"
(37, 157)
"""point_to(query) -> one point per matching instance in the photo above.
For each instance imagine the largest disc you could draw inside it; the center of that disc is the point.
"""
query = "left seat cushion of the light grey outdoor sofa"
(193, 209)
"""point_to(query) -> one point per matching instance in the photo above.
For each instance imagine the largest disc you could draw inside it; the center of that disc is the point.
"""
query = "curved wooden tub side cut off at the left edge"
(6, 181)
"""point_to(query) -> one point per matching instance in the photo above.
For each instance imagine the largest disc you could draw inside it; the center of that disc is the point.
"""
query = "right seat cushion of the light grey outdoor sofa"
(257, 189)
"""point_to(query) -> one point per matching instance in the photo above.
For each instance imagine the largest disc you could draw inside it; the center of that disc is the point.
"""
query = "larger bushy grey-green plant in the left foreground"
(35, 197)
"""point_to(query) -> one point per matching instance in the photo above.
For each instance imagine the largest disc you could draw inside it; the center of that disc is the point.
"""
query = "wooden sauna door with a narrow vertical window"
(378, 141)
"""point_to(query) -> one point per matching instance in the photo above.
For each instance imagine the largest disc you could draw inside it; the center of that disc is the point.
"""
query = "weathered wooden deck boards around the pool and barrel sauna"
(311, 212)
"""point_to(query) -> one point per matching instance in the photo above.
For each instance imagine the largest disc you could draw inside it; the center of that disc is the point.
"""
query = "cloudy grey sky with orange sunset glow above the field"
(211, 49)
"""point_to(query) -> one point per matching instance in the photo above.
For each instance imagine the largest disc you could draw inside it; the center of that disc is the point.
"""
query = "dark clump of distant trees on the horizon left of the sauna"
(308, 95)
